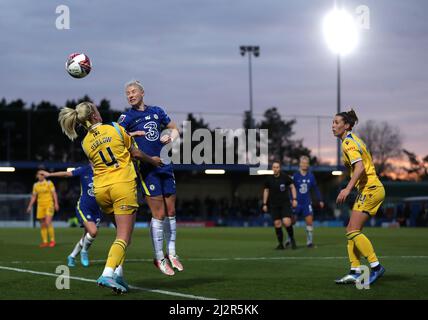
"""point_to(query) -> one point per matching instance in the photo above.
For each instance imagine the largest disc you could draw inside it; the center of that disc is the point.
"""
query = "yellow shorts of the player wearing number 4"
(118, 198)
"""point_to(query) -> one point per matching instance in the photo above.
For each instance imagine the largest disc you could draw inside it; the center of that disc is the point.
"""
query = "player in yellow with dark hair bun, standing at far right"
(371, 194)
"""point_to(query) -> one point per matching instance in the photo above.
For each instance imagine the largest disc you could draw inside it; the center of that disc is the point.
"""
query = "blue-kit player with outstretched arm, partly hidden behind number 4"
(87, 211)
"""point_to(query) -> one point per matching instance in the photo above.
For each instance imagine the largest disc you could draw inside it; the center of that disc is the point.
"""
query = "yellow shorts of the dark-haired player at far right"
(369, 200)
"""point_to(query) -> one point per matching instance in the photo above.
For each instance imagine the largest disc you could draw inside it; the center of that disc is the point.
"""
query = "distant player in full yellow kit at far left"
(47, 203)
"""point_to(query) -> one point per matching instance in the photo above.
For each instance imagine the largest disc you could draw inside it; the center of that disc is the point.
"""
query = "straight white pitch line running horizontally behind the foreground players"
(228, 259)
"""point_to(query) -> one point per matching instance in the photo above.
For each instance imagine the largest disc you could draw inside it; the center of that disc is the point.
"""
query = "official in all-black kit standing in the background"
(276, 200)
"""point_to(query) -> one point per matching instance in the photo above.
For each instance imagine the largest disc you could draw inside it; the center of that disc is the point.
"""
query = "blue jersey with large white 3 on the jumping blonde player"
(152, 121)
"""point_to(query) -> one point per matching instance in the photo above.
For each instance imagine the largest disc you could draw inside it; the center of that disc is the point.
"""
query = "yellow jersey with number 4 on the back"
(107, 147)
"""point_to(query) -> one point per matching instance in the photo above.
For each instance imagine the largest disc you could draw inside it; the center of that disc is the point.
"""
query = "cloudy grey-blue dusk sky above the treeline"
(186, 54)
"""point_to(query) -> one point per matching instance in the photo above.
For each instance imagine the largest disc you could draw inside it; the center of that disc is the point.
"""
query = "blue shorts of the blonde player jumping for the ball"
(158, 183)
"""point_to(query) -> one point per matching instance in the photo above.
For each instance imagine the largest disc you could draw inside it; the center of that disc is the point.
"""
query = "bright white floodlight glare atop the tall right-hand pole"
(340, 31)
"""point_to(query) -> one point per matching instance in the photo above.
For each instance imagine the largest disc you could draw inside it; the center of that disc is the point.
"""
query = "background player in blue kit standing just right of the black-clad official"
(304, 182)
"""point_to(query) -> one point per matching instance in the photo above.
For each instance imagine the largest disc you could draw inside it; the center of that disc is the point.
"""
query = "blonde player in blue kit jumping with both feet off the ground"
(145, 123)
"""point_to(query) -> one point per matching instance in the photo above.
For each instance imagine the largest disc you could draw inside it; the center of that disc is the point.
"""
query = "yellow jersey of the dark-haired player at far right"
(354, 150)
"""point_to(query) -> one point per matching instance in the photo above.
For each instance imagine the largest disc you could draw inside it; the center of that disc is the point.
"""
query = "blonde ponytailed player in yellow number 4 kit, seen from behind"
(109, 148)
